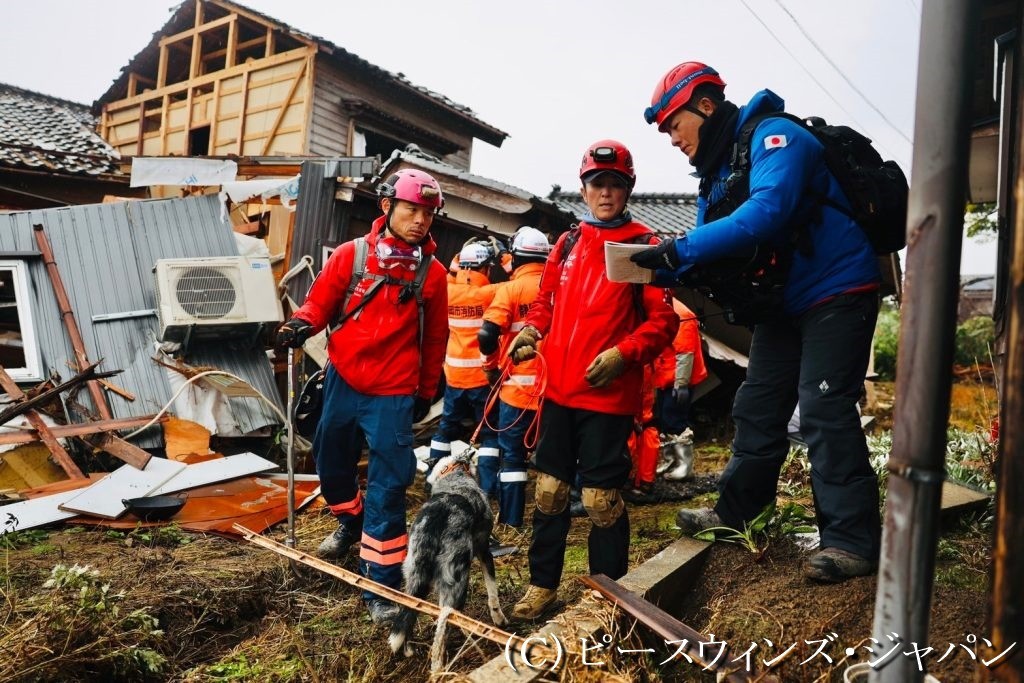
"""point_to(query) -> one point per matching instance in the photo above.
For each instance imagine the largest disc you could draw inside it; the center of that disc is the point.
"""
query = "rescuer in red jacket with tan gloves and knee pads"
(598, 337)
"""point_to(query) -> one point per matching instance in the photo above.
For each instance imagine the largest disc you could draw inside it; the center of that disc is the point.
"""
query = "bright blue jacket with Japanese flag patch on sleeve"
(788, 170)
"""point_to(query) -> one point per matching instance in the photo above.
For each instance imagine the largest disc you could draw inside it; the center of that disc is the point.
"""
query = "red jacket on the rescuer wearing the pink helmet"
(377, 352)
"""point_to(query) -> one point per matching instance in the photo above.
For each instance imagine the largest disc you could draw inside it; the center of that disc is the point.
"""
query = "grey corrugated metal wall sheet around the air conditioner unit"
(106, 254)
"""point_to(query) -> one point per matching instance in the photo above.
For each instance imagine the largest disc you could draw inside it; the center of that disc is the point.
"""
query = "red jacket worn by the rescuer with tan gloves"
(581, 314)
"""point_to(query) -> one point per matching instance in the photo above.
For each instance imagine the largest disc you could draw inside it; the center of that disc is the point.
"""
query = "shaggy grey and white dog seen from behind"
(453, 527)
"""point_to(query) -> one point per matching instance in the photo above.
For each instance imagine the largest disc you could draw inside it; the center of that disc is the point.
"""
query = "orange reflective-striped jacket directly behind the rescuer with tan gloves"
(508, 312)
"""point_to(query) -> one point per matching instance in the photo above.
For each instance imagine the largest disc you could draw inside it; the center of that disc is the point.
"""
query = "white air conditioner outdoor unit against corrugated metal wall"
(206, 298)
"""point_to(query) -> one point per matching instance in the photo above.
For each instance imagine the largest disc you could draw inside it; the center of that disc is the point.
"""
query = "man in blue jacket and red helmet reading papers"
(813, 332)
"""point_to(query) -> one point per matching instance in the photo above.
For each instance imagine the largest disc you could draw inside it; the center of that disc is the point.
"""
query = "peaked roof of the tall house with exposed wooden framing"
(184, 19)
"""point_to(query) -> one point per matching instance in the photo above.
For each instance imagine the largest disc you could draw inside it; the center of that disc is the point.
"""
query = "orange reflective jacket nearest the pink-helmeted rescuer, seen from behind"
(470, 295)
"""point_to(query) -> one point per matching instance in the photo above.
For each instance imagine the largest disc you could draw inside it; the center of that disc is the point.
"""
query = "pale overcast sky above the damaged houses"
(556, 76)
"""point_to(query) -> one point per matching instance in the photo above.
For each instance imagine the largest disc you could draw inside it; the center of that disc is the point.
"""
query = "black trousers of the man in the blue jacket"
(819, 359)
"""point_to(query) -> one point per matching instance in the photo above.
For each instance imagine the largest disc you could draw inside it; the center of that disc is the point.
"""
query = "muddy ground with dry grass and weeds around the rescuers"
(172, 606)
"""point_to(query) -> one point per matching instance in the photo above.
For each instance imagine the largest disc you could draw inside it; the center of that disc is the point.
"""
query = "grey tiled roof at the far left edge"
(44, 134)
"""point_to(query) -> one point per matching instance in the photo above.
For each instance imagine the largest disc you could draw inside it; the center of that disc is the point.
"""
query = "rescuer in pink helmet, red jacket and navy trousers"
(386, 364)
